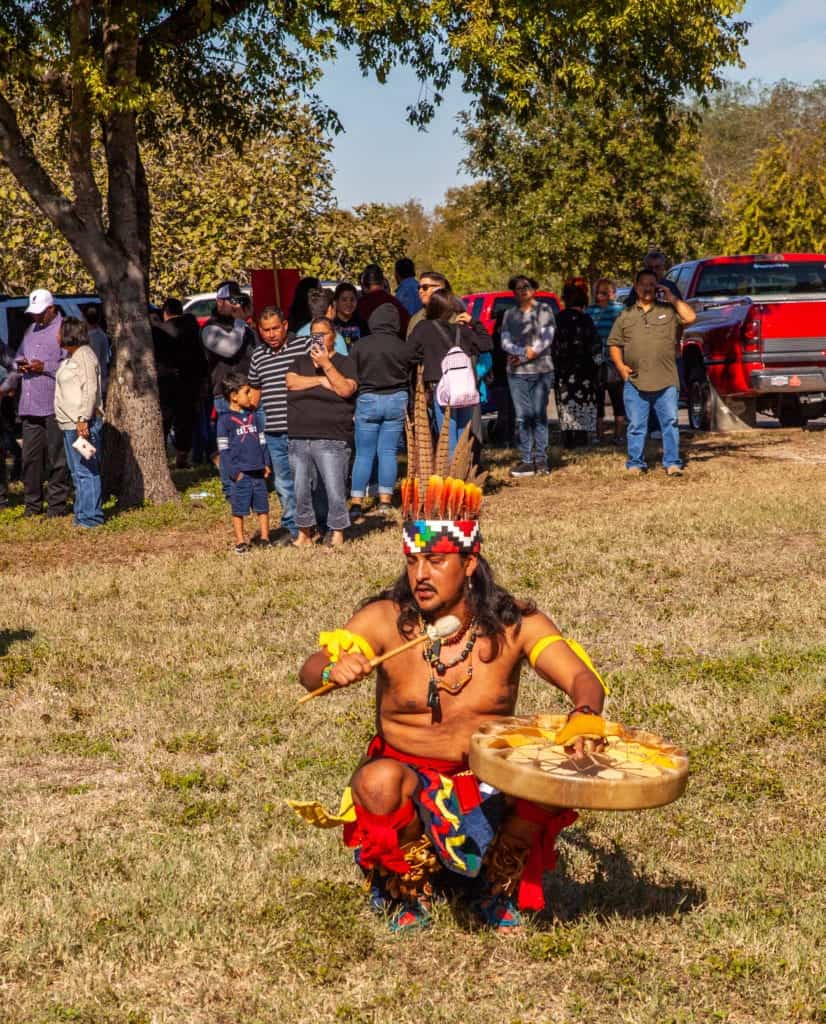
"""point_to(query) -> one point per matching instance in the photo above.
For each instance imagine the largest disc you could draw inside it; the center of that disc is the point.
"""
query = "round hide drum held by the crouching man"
(520, 757)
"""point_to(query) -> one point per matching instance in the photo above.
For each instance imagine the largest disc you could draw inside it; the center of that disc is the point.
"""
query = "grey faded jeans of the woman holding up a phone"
(331, 460)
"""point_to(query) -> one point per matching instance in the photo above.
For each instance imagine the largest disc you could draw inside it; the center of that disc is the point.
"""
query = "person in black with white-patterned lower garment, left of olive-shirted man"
(574, 349)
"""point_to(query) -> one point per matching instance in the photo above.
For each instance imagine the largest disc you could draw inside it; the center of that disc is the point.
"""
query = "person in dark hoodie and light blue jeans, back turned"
(383, 367)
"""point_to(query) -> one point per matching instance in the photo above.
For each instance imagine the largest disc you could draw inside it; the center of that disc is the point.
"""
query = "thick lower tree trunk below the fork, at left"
(136, 462)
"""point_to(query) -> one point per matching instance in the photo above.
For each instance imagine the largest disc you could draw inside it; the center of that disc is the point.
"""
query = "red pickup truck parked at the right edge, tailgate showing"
(759, 343)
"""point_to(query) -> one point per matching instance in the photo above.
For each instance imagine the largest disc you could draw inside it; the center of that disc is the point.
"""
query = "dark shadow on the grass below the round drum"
(618, 890)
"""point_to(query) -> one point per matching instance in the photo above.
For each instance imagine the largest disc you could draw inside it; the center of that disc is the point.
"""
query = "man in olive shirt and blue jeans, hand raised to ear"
(643, 348)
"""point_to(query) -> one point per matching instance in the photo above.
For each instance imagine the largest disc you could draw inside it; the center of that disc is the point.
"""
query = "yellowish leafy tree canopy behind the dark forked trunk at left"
(276, 193)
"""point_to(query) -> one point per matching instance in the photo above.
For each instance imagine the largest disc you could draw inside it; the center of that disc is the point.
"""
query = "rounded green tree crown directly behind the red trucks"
(588, 189)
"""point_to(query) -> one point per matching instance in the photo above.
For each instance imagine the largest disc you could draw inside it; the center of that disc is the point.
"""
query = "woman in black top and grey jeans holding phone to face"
(321, 402)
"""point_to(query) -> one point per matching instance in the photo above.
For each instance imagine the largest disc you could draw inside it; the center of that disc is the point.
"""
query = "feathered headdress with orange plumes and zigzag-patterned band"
(441, 504)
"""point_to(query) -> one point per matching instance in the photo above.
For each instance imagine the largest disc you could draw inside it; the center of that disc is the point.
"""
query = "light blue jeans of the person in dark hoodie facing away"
(379, 423)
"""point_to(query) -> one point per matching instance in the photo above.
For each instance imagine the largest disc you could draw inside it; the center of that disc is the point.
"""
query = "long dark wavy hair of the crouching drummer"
(492, 607)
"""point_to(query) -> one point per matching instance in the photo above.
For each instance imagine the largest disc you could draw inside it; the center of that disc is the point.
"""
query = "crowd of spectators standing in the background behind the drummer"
(311, 404)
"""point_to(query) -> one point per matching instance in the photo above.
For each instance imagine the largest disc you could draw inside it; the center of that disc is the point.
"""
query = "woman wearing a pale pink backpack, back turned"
(448, 351)
